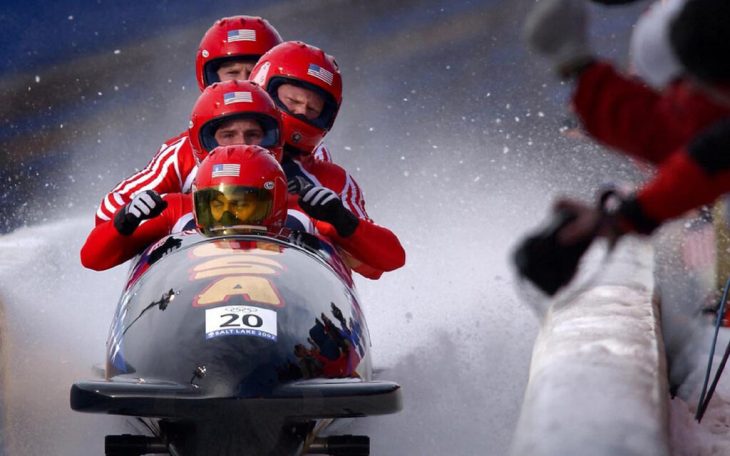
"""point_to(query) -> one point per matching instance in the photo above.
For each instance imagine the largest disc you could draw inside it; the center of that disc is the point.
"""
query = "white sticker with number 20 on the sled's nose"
(240, 321)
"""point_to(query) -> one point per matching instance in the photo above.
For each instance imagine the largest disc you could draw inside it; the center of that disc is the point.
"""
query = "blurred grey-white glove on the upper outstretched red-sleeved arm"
(556, 29)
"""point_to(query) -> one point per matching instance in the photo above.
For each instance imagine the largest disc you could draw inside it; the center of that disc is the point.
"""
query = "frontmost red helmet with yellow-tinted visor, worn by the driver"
(239, 188)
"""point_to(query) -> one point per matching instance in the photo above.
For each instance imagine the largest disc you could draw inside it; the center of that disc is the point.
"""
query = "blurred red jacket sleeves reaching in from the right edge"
(656, 127)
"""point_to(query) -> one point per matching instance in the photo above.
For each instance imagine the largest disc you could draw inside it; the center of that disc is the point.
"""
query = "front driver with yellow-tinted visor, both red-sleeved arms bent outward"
(237, 189)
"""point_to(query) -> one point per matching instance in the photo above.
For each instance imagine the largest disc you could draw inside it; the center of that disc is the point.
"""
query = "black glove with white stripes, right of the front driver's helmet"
(323, 204)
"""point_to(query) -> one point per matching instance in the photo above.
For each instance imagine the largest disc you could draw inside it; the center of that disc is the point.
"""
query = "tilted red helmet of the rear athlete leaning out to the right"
(308, 67)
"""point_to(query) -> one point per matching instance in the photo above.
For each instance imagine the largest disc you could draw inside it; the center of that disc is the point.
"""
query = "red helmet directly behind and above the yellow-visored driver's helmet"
(230, 100)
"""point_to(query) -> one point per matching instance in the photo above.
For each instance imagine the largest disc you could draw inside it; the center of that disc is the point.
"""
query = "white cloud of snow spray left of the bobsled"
(56, 317)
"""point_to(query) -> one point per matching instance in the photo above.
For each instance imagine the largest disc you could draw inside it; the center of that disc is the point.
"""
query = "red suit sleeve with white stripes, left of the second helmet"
(171, 170)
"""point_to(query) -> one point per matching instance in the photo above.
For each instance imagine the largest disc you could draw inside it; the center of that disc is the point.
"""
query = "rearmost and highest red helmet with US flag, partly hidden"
(235, 37)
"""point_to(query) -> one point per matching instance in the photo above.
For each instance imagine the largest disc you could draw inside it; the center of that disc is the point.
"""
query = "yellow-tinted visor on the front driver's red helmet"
(226, 209)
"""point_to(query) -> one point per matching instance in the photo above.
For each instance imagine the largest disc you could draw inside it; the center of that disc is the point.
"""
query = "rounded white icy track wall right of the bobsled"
(598, 379)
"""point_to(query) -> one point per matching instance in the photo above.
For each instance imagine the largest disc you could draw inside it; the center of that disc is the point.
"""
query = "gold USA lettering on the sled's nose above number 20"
(236, 273)
